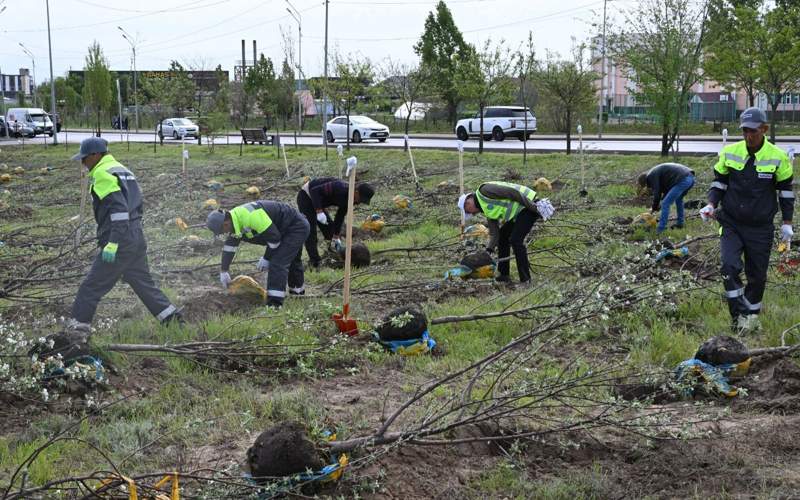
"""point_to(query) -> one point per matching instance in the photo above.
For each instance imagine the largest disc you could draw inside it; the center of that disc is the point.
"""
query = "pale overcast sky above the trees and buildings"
(205, 33)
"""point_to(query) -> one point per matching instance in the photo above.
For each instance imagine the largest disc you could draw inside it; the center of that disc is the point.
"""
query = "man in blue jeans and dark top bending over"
(668, 183)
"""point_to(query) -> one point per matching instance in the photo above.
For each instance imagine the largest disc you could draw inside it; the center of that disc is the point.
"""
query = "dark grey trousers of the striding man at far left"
(130, 266)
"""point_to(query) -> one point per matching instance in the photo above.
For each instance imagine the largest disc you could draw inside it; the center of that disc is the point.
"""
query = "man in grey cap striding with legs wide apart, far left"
(117, 204)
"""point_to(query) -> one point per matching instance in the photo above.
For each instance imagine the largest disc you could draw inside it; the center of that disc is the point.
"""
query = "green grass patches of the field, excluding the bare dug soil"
(187, 405)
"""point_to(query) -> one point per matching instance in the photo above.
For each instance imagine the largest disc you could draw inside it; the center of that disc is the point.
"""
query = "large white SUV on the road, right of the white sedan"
(499, 122)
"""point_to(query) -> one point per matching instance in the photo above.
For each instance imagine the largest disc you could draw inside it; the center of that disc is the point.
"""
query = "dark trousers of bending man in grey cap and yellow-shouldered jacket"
(285, 263)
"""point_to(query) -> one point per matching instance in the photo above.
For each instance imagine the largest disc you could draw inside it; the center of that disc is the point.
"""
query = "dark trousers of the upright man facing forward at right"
(755, 242)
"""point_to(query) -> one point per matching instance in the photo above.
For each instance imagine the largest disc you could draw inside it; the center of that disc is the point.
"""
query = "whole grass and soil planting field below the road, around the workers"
(520, 399)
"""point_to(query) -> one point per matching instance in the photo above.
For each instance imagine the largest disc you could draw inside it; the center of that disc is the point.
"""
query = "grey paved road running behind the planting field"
(695, 146)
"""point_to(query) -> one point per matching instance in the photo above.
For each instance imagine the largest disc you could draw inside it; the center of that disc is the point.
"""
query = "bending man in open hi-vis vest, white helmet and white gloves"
(517, 208)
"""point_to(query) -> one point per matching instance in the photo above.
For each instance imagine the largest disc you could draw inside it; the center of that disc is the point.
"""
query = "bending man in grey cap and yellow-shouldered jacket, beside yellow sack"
(277, 226)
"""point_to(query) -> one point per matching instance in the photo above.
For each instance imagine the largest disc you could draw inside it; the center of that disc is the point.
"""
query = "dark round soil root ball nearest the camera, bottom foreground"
(282, 451)
